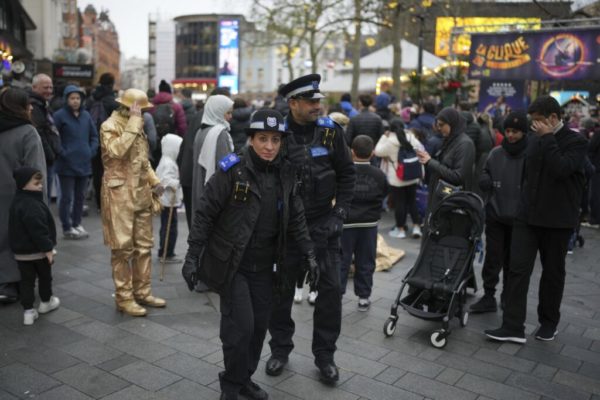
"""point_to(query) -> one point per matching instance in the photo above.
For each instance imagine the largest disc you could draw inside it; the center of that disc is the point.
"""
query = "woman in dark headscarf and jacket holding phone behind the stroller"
(453, 162)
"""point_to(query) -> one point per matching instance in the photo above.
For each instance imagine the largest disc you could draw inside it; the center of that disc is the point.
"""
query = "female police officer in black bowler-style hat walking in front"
(236, 244)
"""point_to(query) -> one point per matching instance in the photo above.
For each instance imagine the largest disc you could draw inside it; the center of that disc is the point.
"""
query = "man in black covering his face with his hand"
(548, 213)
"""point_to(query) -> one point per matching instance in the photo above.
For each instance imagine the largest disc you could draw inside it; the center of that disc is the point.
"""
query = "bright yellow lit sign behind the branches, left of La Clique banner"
(462, 43)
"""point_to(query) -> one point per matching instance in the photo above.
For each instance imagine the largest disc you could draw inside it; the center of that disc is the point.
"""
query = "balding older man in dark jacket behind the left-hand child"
(41, 116)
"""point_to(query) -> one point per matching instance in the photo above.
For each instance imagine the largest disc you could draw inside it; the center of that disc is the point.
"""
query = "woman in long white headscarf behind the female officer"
(212, 143)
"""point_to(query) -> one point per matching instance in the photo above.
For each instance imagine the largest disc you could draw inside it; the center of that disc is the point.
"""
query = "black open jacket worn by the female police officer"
(227, 214)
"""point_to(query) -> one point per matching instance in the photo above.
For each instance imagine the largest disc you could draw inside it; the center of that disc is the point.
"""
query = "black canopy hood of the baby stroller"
(466, 203)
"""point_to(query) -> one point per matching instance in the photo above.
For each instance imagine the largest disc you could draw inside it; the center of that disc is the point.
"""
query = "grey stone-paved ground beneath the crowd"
(87, 350)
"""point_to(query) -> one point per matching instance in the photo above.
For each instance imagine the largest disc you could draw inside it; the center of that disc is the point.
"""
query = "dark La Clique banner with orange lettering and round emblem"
(550, 55)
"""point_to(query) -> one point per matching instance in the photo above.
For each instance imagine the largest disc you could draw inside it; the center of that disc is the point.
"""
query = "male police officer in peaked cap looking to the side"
(325, 171)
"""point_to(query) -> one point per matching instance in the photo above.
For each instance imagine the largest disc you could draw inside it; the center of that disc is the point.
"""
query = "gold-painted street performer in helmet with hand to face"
(127, 188)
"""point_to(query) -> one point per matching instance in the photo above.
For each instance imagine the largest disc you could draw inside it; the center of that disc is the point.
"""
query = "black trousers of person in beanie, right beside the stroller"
(497, 255)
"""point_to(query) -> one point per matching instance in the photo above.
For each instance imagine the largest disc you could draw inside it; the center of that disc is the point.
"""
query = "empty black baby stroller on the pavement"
(437, 284)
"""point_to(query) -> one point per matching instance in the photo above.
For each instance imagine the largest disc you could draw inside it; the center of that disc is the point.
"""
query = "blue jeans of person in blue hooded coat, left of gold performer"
(72, 195)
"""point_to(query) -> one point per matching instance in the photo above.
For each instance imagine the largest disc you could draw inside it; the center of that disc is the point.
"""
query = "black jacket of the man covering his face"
(554, 180)
